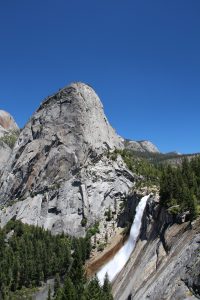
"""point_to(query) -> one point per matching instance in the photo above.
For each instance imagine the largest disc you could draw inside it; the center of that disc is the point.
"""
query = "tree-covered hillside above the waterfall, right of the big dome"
(179, 184)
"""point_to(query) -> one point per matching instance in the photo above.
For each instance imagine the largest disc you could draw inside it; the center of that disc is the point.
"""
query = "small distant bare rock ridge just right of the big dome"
(141, 146)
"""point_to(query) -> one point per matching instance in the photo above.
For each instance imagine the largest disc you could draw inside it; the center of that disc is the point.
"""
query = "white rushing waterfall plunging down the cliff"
(115, 265)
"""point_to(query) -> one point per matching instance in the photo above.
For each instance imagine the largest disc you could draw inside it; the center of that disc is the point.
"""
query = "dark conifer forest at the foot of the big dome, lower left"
(30, 255)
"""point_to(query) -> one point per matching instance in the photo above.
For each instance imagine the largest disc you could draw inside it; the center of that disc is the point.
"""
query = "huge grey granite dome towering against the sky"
(59, 172)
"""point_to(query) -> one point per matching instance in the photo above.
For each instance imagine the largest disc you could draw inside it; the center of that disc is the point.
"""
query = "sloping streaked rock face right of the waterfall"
(166, 261)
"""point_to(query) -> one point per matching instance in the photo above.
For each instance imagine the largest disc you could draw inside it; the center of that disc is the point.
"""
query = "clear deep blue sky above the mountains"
(142, 58)
